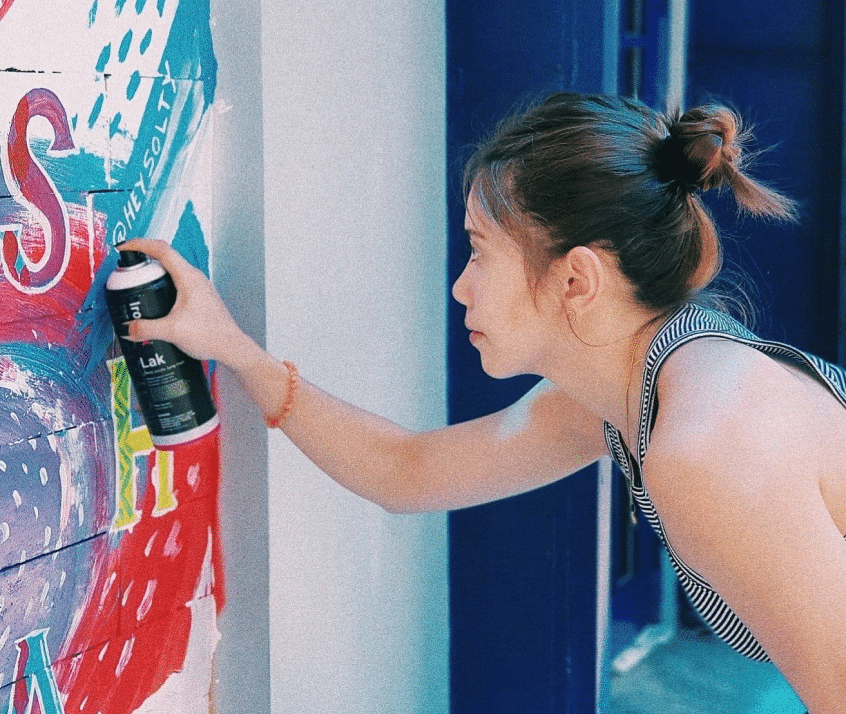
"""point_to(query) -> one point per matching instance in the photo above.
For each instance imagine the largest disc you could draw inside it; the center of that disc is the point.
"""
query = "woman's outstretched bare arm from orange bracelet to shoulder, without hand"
(530, 444)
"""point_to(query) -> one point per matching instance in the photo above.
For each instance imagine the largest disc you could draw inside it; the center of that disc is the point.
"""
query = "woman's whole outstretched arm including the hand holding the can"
(540, 439)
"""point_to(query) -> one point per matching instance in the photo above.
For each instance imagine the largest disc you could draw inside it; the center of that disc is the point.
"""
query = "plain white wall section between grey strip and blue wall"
(355, 254)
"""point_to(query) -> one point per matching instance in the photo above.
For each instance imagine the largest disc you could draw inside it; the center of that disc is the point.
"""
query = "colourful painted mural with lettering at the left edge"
(110, 573)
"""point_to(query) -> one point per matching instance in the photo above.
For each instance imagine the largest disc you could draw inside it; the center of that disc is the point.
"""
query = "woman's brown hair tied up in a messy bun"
(608, 171)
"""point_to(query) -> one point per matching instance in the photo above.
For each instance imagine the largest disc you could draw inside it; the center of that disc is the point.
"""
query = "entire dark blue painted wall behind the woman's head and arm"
(523, 571)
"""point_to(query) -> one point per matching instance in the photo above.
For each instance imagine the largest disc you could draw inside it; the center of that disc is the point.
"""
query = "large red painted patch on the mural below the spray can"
(168, 550)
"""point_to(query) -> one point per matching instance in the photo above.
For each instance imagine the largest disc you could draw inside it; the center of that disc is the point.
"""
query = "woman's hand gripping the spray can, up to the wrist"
(199, 323)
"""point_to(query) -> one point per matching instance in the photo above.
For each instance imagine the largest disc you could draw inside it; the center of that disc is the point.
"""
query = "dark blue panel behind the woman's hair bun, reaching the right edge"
(780, 63)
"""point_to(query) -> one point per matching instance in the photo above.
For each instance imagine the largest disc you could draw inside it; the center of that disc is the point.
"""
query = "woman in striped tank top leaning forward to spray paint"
(591, 255)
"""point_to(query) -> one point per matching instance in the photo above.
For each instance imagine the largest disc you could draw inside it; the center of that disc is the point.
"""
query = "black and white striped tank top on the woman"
(688, 323)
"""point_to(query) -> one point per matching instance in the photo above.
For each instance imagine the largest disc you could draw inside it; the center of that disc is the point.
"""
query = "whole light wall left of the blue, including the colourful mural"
(127, 131)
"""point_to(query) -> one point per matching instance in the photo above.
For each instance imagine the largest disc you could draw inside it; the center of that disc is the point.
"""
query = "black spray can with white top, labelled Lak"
(171, 387)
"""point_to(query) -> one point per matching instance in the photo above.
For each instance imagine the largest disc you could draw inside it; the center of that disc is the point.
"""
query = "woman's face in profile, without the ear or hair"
(506, 323)
